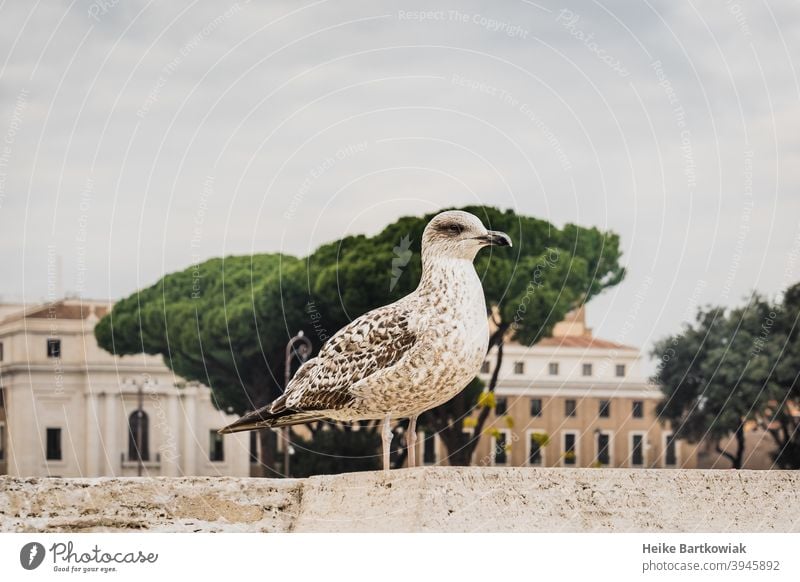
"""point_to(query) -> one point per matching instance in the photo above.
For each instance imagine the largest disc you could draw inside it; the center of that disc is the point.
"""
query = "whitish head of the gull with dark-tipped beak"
(459, 235)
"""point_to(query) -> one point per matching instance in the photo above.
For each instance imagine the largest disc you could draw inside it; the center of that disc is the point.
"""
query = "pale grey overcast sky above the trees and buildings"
(138, 138)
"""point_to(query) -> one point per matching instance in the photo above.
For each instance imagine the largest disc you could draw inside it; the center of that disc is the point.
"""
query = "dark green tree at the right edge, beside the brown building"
(730, 368)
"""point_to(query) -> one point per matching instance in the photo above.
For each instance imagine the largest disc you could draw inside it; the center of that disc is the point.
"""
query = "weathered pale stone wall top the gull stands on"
(441, 499)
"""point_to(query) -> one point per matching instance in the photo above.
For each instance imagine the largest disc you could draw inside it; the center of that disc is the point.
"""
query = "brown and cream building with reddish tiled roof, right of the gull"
(573, 400)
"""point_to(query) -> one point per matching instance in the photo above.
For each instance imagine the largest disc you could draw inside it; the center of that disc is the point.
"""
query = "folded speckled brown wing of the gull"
(371, 343)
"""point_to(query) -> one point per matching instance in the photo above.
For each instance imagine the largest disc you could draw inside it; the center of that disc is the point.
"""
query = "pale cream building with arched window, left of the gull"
(68, 408)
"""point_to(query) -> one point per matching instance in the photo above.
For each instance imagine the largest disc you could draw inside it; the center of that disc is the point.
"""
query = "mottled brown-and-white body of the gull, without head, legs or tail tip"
(403, 358)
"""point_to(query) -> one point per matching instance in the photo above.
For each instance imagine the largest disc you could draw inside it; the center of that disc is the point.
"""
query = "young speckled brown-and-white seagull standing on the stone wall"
(399, 360)
